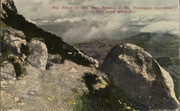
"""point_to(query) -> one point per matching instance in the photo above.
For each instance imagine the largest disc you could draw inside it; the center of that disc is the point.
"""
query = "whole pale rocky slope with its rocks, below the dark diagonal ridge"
(39, 81)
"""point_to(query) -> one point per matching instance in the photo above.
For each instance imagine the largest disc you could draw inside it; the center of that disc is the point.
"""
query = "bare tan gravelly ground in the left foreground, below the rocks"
(43, 90)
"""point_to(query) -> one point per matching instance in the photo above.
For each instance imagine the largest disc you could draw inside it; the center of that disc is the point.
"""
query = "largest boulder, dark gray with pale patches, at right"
(145, 83)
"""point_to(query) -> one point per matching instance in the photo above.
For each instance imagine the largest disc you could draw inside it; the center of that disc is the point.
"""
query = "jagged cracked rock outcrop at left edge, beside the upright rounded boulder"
(11, 48)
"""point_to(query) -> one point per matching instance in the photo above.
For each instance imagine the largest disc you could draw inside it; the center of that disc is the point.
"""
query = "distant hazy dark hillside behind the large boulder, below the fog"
(163, 47)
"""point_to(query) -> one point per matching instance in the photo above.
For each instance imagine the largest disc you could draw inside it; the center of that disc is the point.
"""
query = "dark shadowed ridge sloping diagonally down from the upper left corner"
(55, 44)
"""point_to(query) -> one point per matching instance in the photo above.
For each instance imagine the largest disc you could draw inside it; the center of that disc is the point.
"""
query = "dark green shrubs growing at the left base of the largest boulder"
(110, 98)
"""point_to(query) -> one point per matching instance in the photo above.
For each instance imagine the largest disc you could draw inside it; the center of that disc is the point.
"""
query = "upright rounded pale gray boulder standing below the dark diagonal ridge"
(38, 54)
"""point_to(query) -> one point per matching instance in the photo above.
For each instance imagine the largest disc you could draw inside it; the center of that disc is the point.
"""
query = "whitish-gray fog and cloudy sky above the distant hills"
(80, 25)
